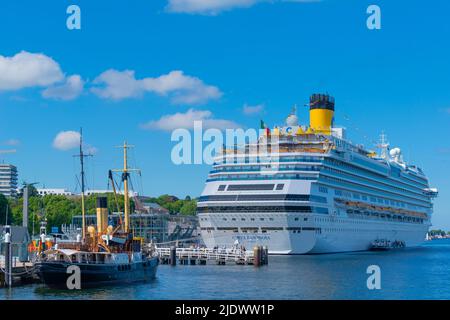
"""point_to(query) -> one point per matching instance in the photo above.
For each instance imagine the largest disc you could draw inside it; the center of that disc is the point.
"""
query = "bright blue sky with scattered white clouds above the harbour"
(136, 70)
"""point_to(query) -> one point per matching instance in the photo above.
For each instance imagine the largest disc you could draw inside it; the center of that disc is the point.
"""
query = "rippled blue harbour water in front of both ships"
(416, 273)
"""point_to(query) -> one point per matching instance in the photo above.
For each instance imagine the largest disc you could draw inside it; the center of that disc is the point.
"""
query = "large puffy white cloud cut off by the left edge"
(28, 70)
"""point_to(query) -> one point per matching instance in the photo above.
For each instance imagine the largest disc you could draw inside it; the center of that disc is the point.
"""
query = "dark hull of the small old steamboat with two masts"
(55, 274)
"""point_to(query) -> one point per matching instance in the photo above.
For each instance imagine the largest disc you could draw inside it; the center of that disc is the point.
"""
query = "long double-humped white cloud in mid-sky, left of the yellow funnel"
(179, 87)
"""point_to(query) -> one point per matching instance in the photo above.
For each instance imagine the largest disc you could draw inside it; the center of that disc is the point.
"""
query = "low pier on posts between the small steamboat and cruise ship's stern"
(201, 256)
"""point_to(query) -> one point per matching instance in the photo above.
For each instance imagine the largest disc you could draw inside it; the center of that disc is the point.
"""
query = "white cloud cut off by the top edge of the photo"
(214, 7)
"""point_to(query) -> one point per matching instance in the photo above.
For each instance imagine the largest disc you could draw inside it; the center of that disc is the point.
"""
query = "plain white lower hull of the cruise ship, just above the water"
(342, 236)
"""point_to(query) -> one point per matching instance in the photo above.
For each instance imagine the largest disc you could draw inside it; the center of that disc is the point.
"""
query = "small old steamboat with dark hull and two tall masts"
(103, 255)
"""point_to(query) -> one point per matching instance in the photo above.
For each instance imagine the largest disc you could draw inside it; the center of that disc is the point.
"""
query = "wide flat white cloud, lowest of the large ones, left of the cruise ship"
(186, 120)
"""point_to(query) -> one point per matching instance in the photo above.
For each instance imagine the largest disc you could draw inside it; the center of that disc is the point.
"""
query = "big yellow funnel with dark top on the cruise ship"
(321, 113)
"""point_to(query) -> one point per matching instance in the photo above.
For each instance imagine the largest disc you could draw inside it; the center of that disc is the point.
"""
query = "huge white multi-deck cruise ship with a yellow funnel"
(306, 189)
